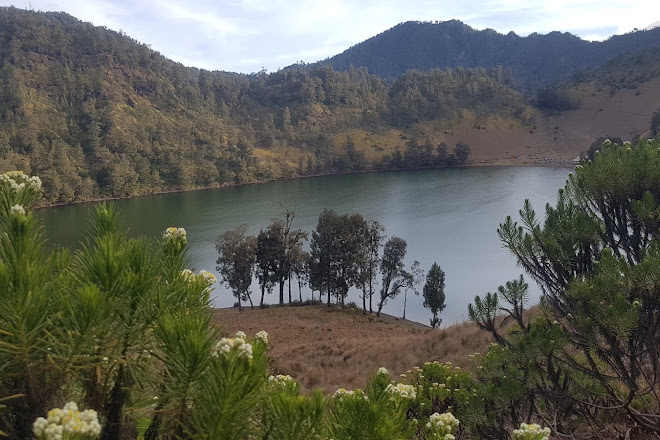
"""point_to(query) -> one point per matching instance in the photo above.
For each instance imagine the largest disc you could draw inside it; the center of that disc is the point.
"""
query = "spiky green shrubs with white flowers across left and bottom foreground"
(122, 329)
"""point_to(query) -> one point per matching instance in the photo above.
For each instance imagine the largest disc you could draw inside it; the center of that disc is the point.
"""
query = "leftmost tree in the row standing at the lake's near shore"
(236, 261)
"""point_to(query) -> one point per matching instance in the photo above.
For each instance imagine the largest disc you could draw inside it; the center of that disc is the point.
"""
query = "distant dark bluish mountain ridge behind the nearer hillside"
(527, 62)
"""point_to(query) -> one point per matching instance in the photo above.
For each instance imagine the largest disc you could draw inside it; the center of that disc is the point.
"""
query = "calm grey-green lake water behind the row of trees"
(450, 216)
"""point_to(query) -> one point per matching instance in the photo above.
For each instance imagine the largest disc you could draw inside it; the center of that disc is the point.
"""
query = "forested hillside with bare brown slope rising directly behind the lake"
(97, 114)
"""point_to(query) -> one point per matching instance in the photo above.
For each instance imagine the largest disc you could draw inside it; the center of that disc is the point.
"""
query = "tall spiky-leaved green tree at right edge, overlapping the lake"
(593, 257)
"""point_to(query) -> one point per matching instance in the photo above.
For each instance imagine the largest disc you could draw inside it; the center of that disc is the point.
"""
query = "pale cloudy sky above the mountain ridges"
(248, 35)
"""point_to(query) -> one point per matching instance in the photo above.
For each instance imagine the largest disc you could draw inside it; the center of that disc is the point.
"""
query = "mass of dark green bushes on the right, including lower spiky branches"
(592, 355)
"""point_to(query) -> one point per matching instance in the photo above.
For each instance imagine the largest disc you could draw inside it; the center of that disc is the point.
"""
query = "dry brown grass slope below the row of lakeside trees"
(329, 348)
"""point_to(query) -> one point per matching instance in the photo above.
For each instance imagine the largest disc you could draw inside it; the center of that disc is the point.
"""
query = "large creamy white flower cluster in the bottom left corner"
(67, 422)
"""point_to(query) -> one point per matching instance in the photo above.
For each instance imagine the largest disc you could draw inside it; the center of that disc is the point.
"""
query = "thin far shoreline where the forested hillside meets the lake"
(482, 163)
